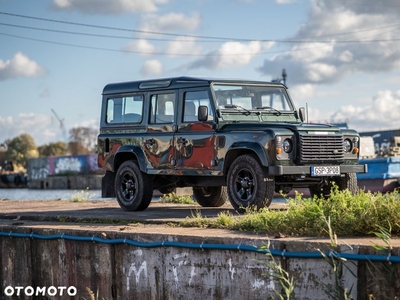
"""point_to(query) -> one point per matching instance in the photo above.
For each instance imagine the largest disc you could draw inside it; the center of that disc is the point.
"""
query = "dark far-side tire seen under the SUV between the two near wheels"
(210, 196)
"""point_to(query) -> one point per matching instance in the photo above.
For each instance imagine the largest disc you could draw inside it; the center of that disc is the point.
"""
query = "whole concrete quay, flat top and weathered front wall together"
(120, 271)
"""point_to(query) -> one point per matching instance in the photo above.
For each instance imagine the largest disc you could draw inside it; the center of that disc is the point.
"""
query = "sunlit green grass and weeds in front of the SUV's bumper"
(350, 215)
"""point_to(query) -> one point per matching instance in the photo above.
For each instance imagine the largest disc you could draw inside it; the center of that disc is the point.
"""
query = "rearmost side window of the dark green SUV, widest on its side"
(125, 110)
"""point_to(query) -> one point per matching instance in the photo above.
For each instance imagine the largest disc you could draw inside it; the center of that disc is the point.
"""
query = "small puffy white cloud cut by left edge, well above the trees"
(20, 66)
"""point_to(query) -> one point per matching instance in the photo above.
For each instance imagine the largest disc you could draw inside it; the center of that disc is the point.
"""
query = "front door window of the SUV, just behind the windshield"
(192, 101)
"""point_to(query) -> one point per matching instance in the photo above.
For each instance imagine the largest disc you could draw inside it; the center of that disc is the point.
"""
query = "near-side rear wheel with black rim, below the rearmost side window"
(133, 188)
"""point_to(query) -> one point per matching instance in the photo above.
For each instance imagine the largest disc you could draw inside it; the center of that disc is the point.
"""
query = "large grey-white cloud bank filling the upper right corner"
(332, 53)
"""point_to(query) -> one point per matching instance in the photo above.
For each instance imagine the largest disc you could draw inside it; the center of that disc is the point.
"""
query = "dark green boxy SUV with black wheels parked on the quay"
(227, 139)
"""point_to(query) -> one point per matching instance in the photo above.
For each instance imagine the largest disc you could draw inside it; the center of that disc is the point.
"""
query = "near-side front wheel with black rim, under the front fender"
(248, 185)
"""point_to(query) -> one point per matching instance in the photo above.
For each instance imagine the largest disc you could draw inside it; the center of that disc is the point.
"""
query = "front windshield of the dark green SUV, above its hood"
(251, 97)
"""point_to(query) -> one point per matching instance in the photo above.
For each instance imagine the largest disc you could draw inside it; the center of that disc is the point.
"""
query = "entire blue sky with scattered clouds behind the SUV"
(342, 57)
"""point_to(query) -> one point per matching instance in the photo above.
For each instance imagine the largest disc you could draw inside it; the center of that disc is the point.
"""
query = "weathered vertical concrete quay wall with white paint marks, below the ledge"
(128, 272)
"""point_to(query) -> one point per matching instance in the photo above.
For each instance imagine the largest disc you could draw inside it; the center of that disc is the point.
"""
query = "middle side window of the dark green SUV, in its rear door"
(162, 108)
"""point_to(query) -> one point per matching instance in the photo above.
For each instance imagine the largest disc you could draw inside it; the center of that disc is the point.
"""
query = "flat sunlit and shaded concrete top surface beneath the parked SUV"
(159, 218)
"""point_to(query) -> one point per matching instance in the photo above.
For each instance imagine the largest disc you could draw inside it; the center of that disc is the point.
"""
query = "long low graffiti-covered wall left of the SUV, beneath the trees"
(40, 168)
